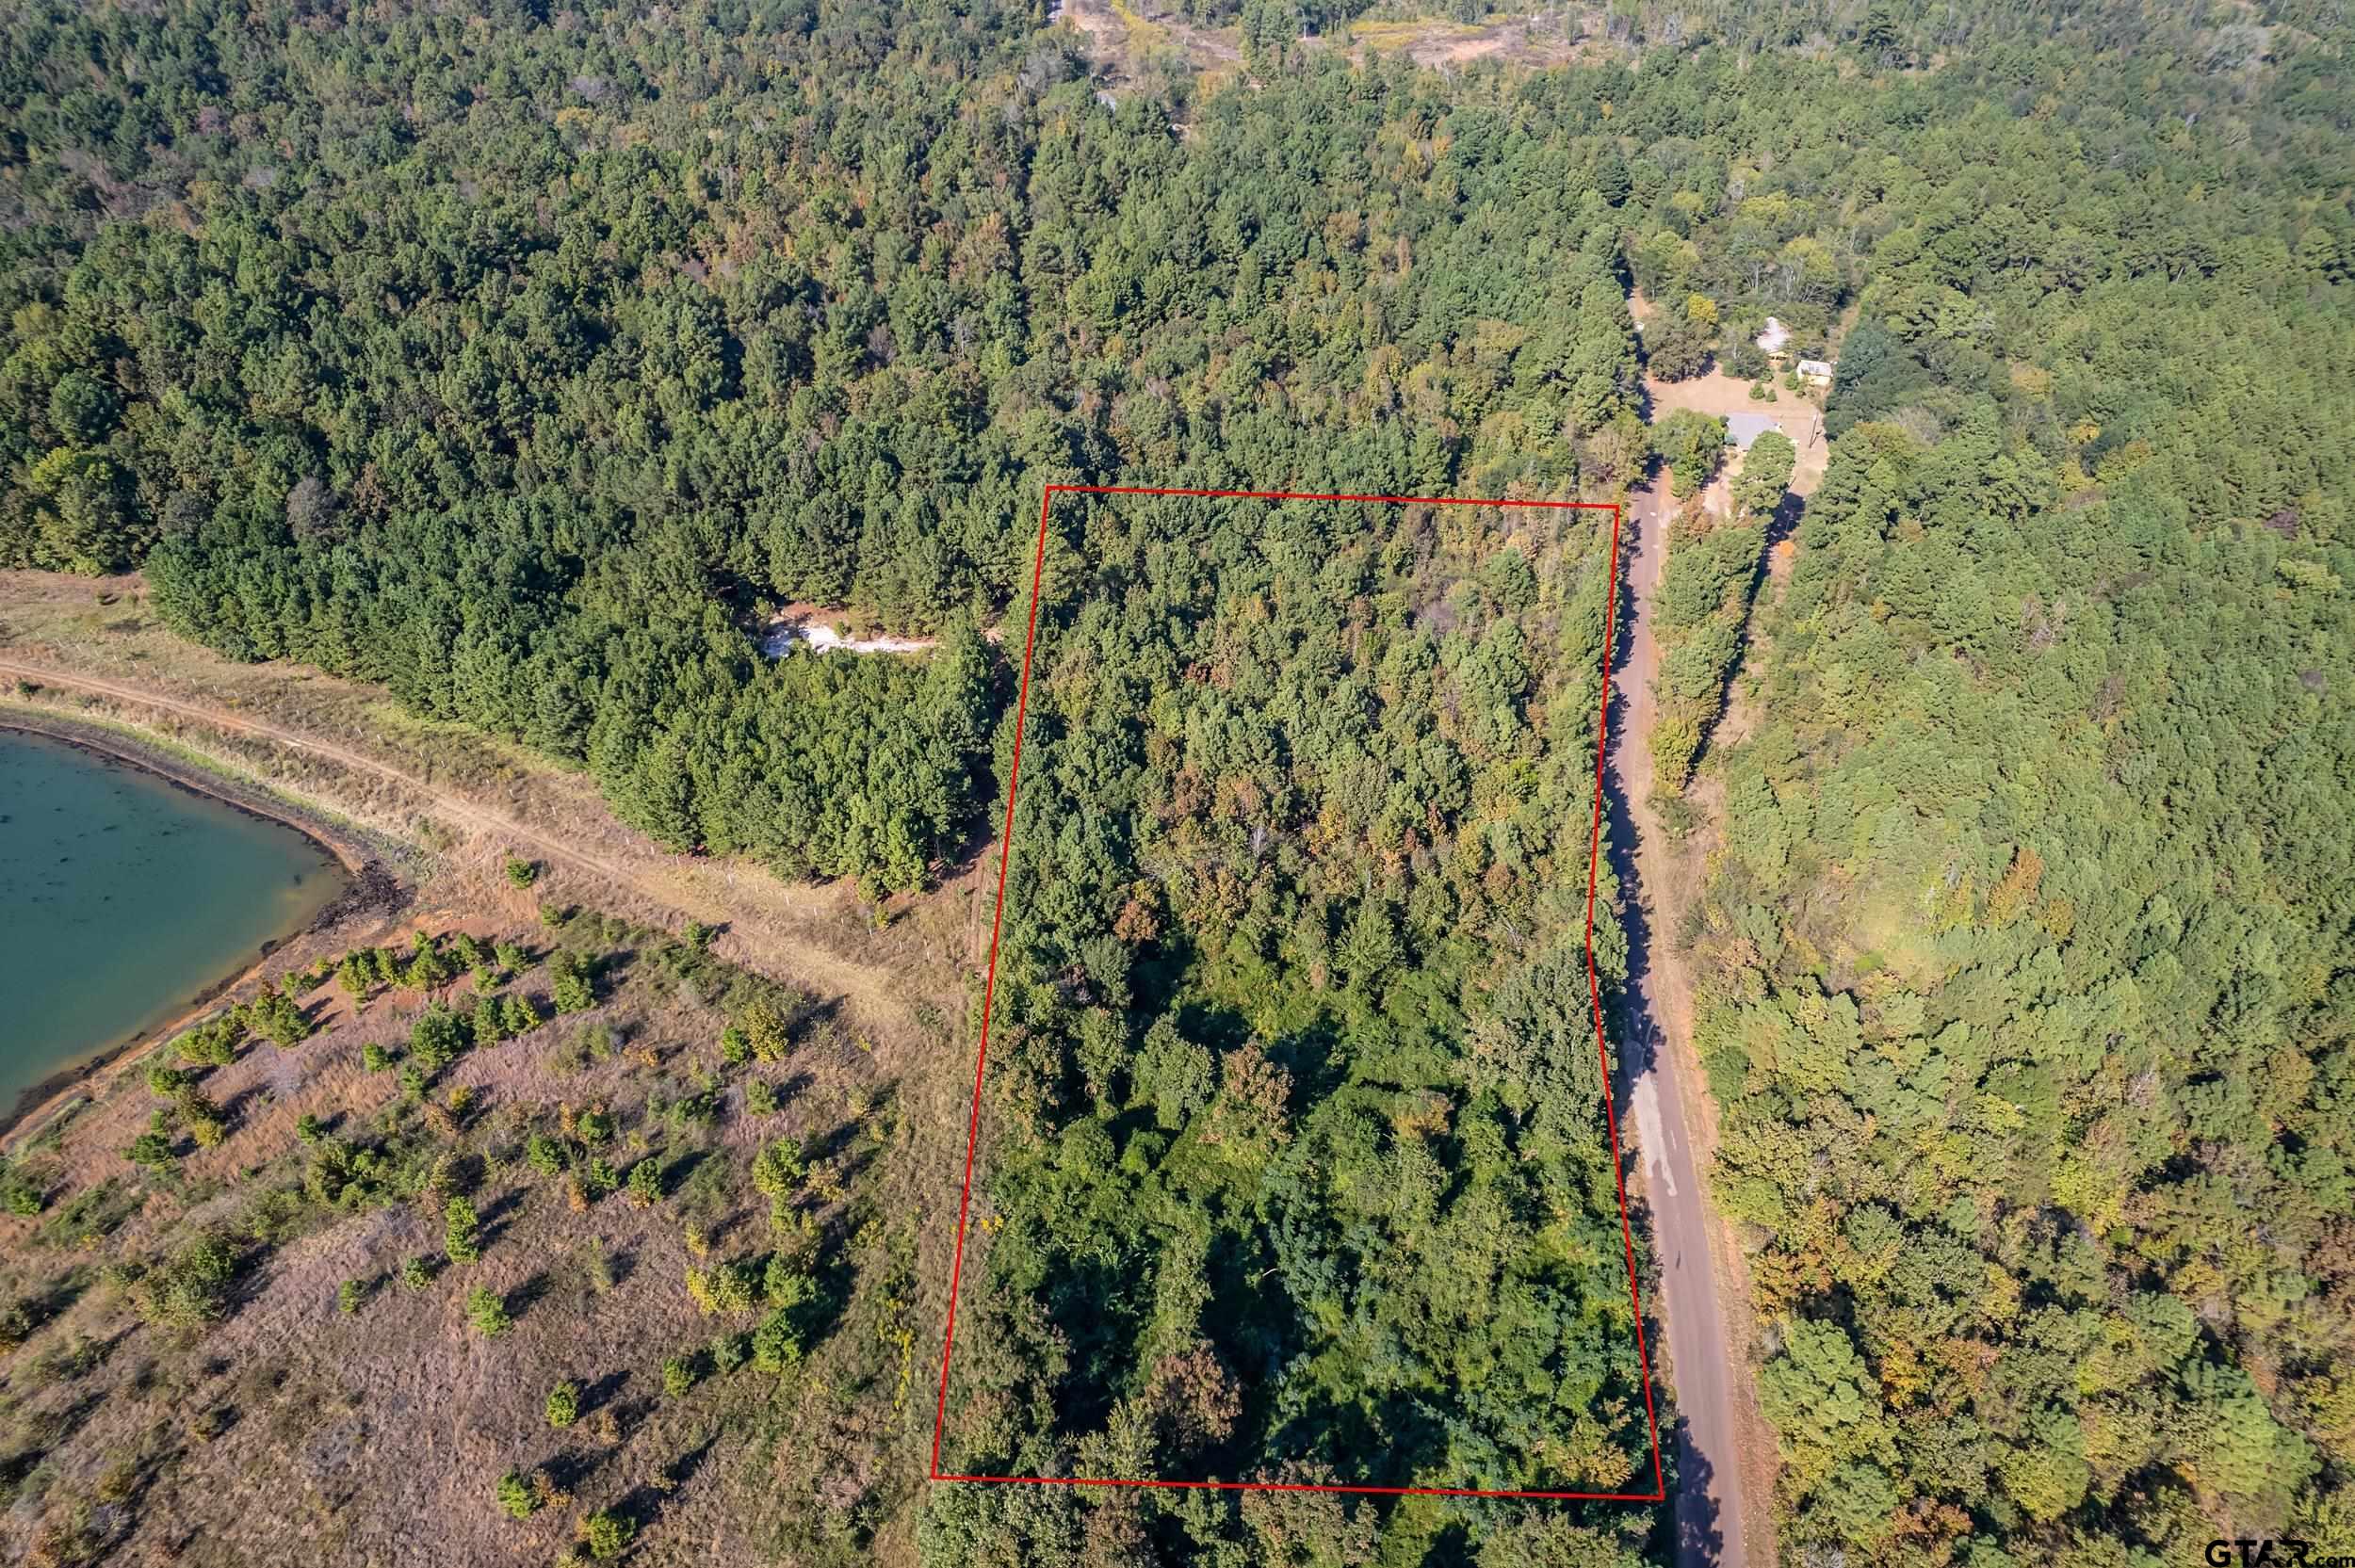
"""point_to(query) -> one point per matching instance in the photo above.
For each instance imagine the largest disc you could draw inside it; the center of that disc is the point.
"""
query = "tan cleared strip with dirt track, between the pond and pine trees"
(93, 651)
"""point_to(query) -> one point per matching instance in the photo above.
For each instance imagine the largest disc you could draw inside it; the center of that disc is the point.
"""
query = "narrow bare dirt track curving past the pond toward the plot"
(870, 988)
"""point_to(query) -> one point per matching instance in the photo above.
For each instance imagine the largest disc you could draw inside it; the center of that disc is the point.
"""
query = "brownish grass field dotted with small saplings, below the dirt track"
(286, 1428)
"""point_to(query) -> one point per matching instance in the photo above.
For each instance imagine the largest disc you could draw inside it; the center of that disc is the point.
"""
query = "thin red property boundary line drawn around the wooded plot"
(1603, 1051)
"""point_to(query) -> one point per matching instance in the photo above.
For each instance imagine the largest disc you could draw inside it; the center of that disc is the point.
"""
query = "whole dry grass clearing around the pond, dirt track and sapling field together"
(288, 1430)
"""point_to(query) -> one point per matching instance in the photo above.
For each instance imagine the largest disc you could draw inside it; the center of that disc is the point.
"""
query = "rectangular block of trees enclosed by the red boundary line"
(1296, 1122)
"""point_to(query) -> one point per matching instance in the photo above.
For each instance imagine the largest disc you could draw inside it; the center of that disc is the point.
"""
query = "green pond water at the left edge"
(124, 898)
